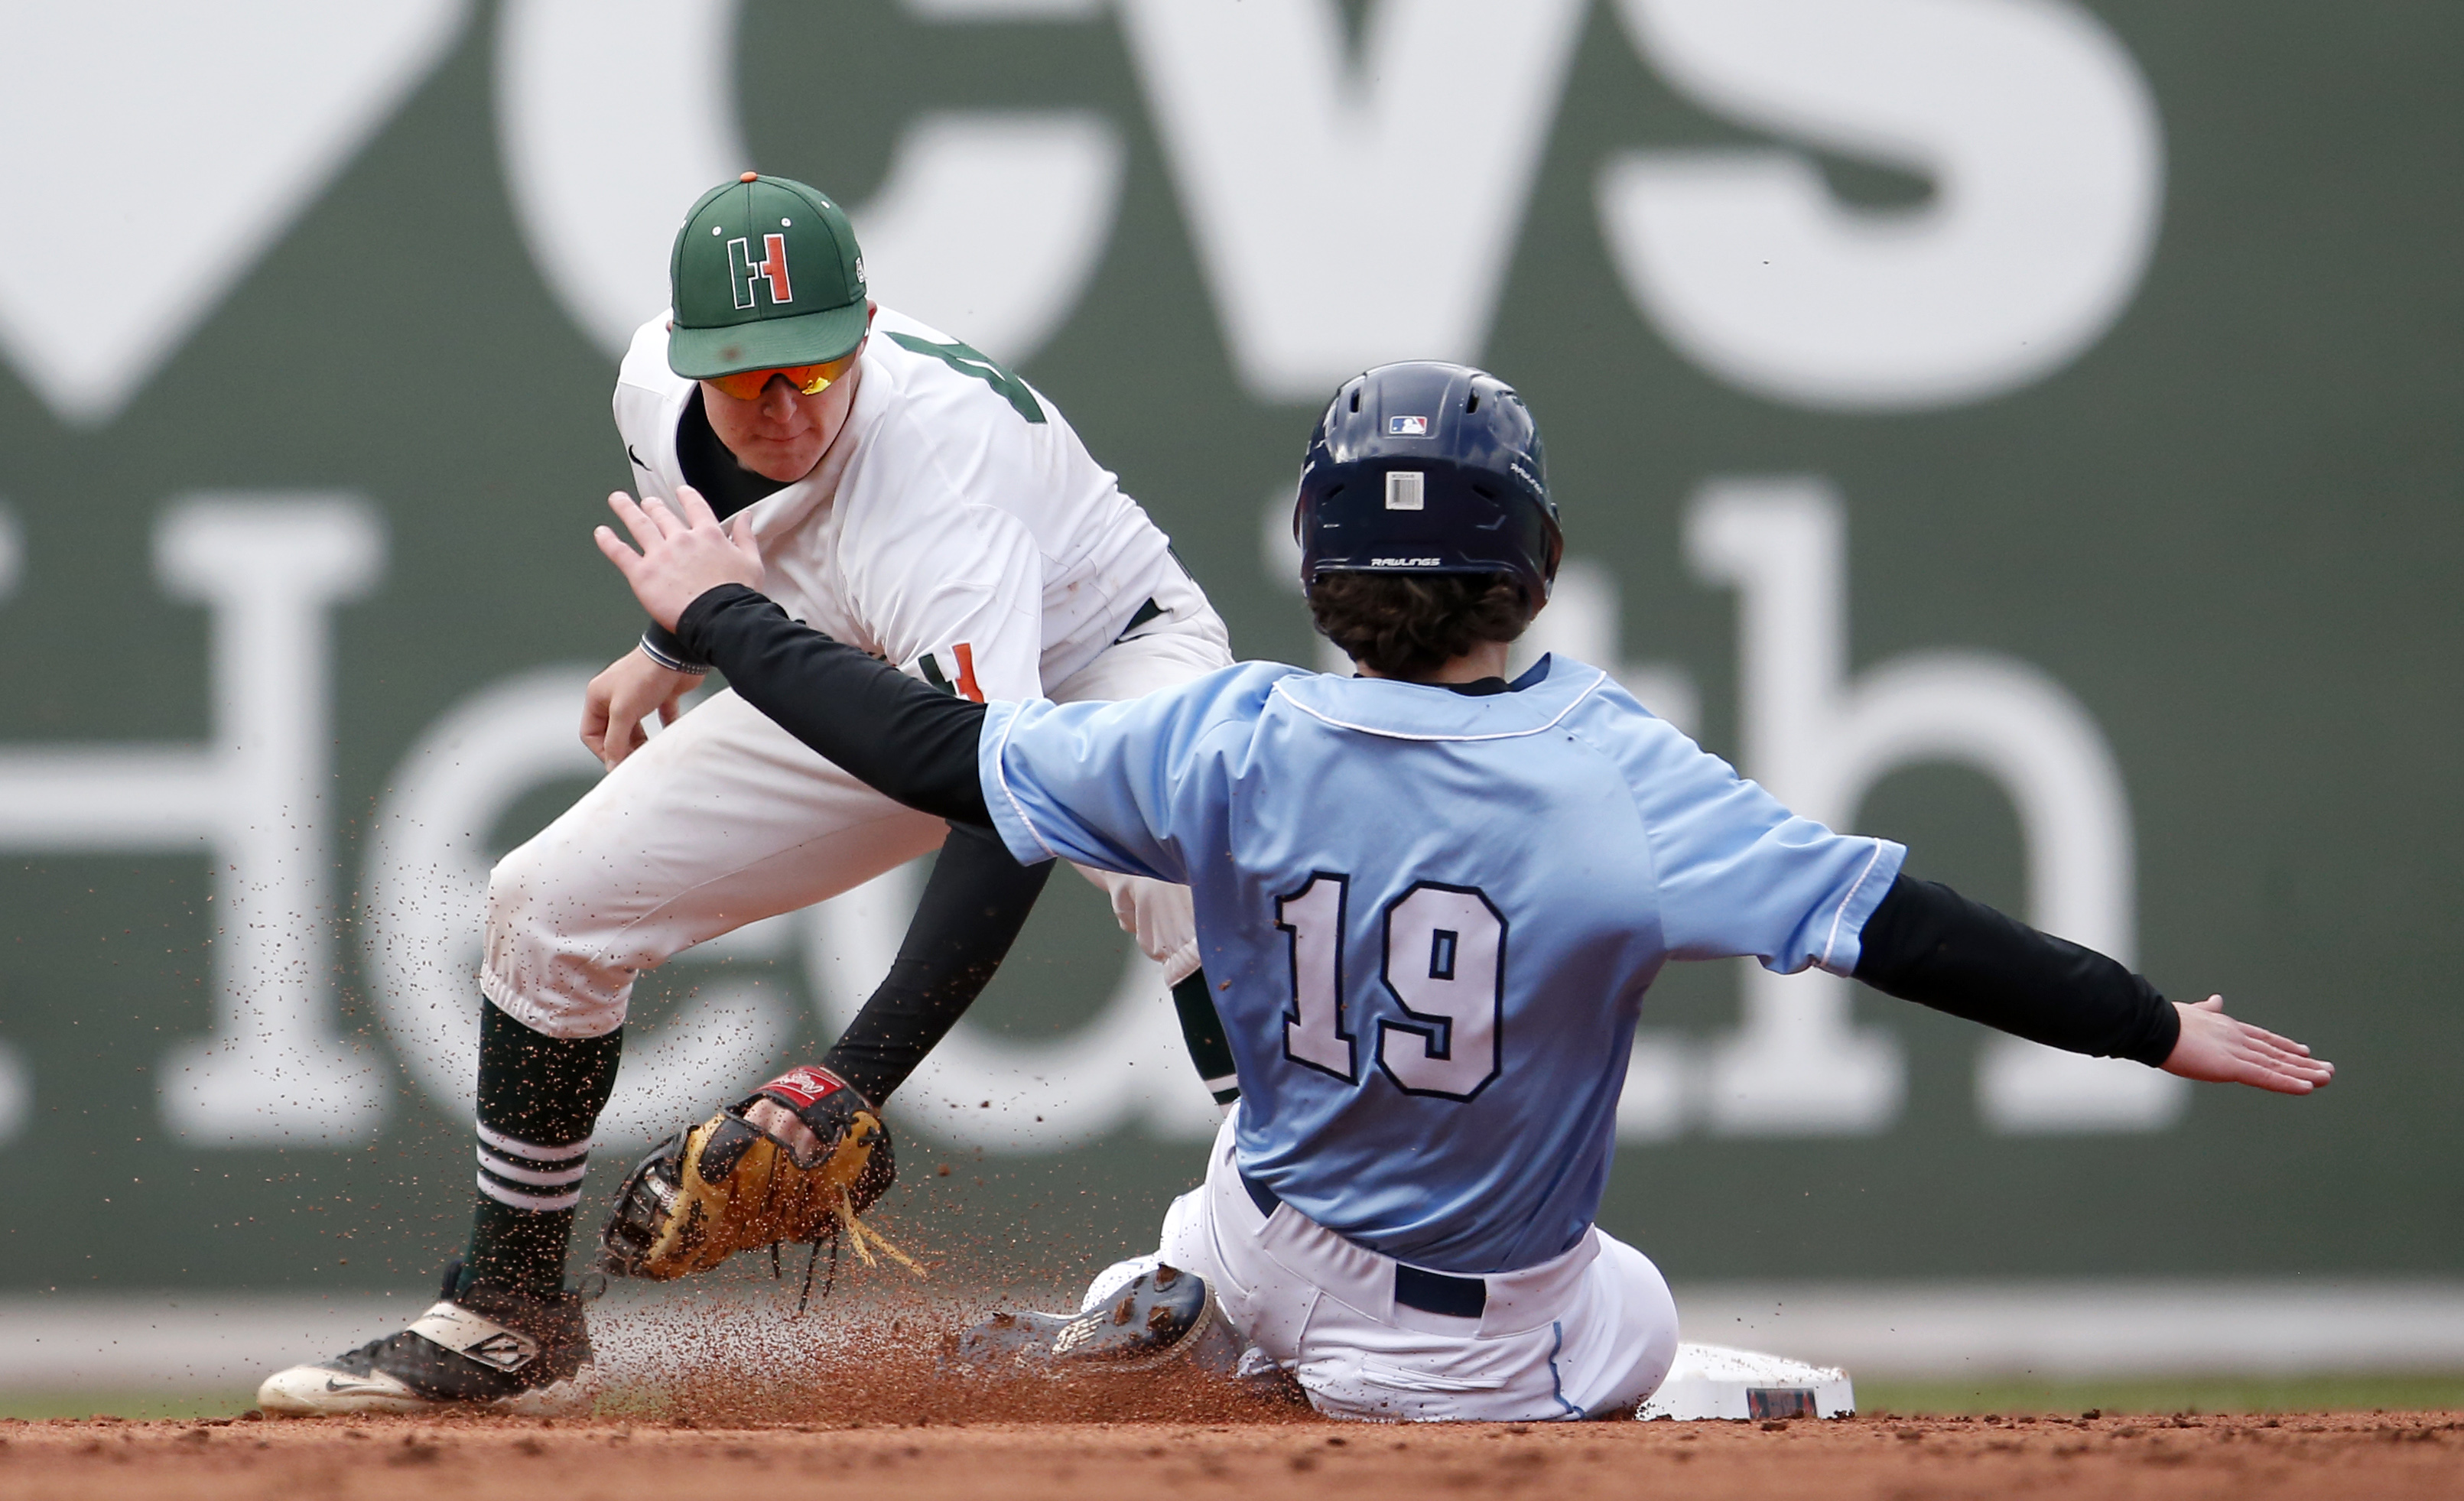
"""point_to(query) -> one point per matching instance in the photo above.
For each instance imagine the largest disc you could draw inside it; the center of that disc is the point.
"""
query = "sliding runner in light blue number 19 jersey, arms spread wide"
(1433, 901)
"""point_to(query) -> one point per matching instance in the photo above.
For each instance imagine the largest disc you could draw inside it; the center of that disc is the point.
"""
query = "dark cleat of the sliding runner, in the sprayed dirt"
(1159, 1320)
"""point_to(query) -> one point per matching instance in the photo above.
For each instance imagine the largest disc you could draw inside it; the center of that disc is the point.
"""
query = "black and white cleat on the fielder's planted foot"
(479, 1349)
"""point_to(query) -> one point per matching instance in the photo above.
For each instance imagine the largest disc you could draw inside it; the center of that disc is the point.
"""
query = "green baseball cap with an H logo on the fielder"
(765, 272)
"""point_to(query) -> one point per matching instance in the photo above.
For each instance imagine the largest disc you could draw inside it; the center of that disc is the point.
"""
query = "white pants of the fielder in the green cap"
(726, 820)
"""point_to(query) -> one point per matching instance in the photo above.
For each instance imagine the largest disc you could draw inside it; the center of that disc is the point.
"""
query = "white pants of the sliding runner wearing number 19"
(1586, 1335)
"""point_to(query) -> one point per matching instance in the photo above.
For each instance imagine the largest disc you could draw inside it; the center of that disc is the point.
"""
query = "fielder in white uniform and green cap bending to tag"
(908, 497)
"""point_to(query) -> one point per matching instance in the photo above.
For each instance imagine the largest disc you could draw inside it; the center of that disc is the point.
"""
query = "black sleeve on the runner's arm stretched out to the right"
(1935, 948)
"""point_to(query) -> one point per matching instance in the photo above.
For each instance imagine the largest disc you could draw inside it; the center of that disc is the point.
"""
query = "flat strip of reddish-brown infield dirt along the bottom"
(610, 1460)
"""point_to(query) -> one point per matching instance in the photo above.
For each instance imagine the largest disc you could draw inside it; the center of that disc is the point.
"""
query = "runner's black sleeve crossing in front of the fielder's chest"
(910, 741)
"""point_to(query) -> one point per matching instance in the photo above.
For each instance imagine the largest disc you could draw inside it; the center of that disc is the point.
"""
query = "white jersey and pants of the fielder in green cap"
(945, 534)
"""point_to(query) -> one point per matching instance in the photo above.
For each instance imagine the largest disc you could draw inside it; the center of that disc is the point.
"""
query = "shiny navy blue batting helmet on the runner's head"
(1428, 470)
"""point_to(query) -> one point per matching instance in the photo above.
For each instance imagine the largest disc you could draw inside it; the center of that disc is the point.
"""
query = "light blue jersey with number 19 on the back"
(1433, 918)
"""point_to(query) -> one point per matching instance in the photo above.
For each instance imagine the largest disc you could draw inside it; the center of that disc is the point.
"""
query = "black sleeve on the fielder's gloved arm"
(972, 911)
